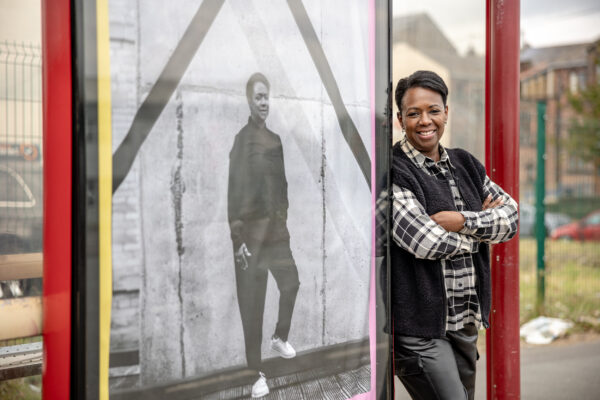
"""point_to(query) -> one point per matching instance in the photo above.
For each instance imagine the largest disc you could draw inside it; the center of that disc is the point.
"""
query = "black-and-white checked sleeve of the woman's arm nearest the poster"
(414, 231)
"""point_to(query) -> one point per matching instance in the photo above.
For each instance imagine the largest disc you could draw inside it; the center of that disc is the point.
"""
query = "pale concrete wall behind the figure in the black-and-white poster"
(172, 243)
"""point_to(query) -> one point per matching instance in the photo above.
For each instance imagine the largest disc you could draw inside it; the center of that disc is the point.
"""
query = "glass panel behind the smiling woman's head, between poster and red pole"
(449, 39)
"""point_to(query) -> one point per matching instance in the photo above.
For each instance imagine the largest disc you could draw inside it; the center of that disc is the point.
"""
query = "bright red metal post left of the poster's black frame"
(57, 125)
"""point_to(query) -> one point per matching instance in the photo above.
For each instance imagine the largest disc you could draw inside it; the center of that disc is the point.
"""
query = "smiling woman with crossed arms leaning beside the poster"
(446, 211)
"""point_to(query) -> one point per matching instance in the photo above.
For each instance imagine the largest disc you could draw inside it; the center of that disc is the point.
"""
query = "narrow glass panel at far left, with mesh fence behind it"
(21, 198)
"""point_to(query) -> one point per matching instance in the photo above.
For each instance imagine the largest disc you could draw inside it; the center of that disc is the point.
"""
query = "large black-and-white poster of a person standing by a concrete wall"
(242, 209)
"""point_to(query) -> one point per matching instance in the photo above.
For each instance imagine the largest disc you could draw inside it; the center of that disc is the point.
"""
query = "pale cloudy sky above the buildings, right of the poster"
(543, 22)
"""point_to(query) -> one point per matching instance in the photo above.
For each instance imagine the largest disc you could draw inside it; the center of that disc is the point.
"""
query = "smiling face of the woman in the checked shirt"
(424, 117)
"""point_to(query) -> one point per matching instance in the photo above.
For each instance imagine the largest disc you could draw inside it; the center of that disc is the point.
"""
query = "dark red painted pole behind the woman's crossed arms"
(503, 142)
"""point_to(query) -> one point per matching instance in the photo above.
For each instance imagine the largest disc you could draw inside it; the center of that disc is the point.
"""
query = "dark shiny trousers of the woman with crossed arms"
(442, 369)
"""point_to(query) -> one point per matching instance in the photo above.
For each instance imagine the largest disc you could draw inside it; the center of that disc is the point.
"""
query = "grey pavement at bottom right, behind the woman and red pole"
(565, 369)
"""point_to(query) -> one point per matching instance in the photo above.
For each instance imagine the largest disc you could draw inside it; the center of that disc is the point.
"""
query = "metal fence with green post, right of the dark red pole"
(559, 258)
